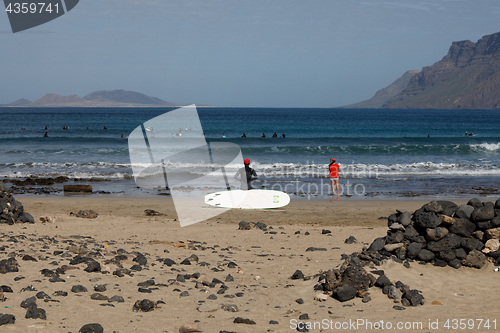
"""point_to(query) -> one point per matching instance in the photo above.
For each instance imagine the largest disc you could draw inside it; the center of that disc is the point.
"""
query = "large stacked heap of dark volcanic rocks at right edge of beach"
(443, 234)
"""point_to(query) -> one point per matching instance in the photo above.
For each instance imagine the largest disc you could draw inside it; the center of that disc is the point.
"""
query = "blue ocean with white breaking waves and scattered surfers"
(382, 153)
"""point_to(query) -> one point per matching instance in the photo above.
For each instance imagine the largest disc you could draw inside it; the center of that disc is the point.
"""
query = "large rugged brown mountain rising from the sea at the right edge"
(468, 77)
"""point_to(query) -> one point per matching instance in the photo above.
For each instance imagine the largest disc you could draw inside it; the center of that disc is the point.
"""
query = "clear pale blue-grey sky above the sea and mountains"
(237, 53)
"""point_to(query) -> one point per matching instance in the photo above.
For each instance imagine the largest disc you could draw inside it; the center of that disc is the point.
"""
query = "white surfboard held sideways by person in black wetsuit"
(252, 199)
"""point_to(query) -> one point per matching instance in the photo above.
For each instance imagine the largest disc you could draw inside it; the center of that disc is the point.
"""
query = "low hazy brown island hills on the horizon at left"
(101, 98)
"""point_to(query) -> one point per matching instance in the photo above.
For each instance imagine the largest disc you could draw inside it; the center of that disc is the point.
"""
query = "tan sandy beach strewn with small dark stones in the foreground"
(265, 263)
